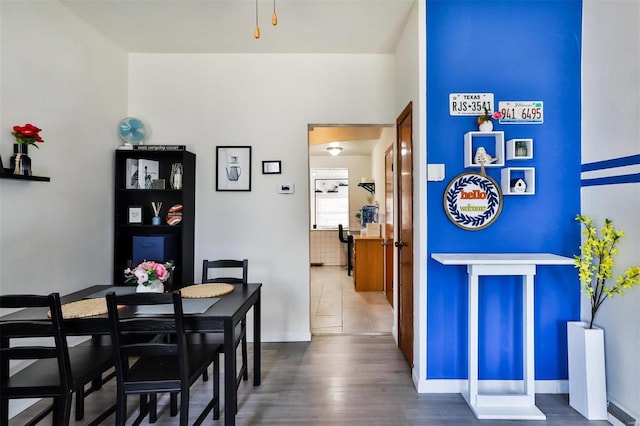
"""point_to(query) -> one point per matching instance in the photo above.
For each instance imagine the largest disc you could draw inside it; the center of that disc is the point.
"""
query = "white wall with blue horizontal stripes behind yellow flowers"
(611, 93)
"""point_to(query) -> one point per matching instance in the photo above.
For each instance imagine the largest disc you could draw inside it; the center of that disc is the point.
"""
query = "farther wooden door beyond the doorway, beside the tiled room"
(388, 224)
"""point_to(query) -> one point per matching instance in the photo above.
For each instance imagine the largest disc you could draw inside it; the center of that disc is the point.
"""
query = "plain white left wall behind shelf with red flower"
(64, 77)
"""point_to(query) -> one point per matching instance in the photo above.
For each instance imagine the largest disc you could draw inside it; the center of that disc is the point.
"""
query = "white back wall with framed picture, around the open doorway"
(265, 101)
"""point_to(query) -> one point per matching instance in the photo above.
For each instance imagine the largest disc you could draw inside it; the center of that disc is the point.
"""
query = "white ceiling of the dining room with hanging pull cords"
(227, 26)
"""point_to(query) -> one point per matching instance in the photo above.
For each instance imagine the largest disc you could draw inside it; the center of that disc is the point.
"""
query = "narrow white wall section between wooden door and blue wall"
(410, 84)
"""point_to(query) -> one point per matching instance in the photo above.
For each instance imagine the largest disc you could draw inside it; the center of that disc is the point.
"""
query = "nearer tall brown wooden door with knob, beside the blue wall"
(404, 244)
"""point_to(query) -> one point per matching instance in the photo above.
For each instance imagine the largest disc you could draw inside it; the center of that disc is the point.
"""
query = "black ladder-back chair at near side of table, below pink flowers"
(169, 365)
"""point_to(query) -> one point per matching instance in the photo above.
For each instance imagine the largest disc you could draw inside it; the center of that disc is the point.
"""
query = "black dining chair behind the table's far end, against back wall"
(232, 272)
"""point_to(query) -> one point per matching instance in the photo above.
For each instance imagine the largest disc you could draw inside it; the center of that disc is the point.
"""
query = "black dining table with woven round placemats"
(223, 316)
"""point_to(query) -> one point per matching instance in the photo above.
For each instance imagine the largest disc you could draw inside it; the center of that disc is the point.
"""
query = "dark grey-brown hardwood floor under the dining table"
(334, 380)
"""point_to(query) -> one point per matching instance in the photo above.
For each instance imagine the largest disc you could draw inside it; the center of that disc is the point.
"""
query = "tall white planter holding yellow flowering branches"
(587, 380)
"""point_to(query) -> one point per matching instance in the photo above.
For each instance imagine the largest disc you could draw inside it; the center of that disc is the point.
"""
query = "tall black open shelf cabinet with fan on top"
(134, 212)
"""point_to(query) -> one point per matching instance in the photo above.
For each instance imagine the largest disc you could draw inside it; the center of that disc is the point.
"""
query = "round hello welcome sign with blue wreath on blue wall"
(472, 201)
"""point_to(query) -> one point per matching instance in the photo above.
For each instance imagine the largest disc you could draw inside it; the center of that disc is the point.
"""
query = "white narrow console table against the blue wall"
(506, 405)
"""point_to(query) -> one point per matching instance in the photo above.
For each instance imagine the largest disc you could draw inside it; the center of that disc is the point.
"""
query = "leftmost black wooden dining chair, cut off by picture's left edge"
(57, 370)
